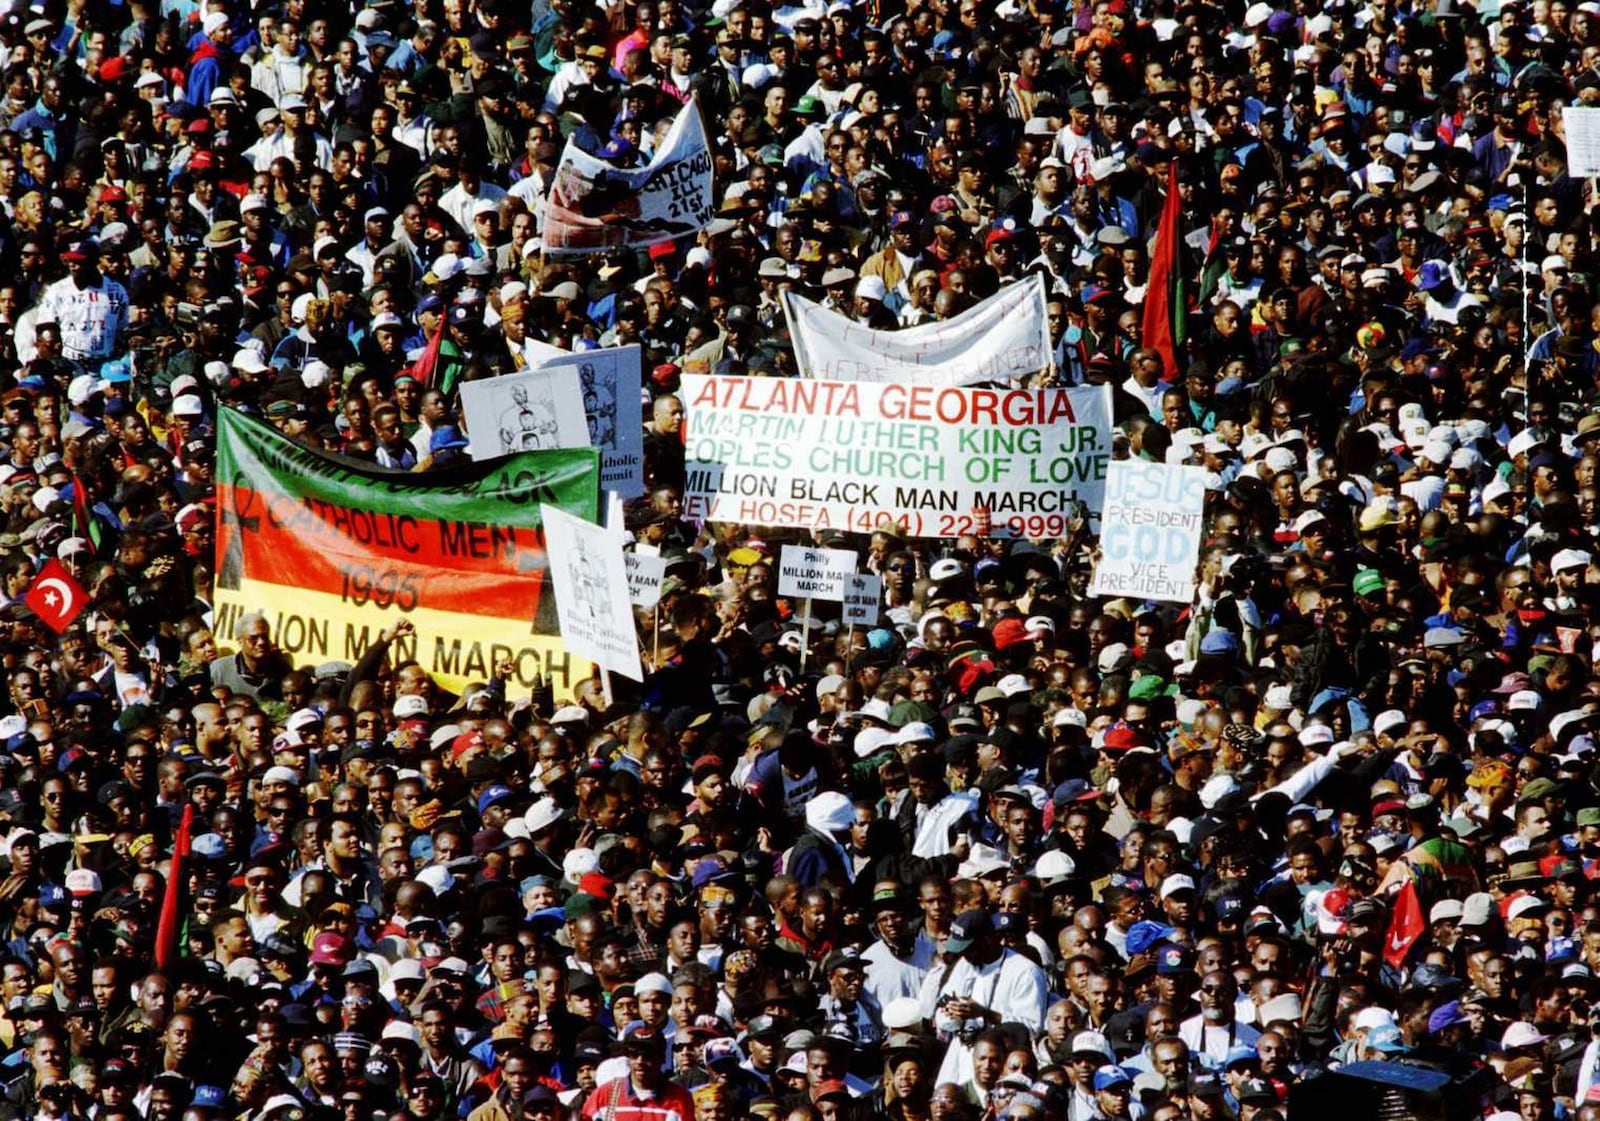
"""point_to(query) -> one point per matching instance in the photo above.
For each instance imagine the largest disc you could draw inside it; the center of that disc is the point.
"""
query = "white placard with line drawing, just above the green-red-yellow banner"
(535, 410)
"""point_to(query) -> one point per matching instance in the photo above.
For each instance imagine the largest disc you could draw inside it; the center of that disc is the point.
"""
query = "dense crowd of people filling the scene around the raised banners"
(1318, 842)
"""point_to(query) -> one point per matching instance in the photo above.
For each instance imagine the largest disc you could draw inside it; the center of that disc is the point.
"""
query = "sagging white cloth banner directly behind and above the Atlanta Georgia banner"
(1002, 338)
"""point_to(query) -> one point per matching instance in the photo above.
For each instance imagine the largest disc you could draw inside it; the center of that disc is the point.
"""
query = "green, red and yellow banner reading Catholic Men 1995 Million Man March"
(334, 553)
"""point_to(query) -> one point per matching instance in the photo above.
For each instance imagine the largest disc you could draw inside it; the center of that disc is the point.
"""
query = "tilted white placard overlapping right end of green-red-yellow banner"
(591, 592)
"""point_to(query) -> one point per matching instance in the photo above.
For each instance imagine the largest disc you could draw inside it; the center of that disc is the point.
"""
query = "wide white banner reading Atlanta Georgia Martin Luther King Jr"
(932, 463)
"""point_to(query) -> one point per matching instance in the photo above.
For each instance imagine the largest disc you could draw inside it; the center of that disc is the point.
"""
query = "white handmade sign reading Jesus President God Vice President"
(1151, 532)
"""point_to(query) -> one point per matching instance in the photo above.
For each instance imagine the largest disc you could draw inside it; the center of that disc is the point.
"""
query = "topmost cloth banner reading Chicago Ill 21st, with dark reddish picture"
(598, 209)
